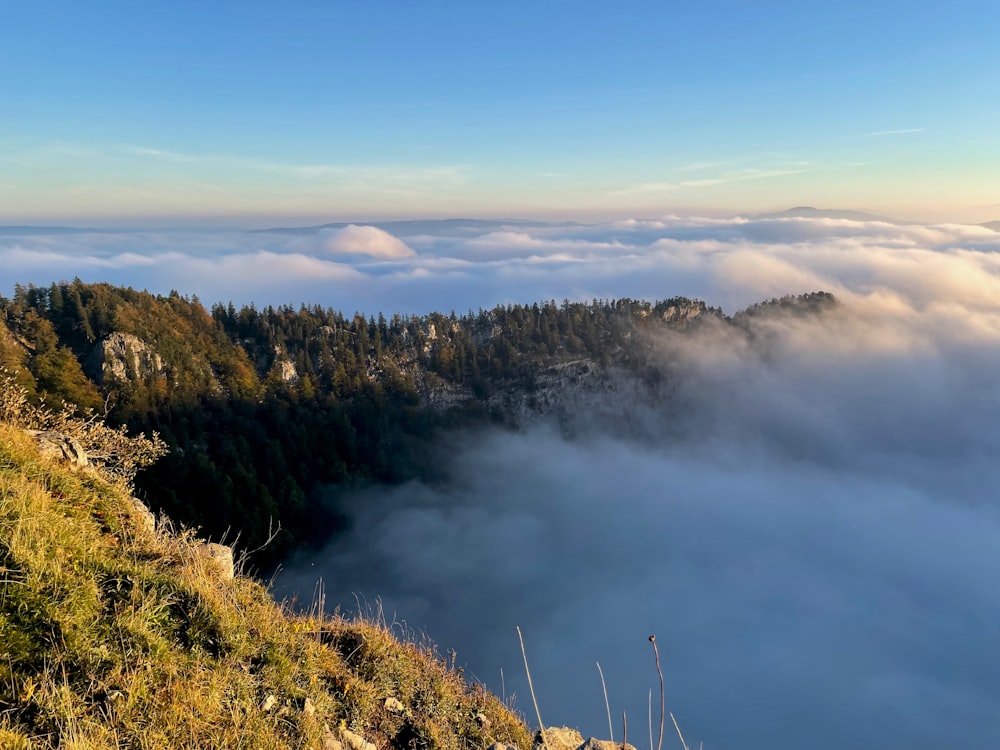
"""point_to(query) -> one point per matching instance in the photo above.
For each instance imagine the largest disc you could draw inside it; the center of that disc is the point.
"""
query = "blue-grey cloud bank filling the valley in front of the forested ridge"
(809, 525)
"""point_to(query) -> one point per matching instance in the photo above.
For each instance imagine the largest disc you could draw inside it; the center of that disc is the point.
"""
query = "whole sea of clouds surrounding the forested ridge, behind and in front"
(810, 526)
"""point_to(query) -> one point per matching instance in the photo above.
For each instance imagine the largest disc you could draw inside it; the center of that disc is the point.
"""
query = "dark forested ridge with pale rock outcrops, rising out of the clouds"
(270, 414)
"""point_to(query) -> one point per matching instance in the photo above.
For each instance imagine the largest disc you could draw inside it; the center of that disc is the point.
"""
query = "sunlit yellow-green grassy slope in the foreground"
(114, 635)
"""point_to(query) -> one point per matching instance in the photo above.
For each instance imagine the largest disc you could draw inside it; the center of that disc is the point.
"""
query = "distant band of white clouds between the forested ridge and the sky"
(417, 267)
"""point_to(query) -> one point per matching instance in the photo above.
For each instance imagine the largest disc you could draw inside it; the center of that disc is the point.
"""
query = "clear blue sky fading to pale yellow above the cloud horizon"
(249, 113)
